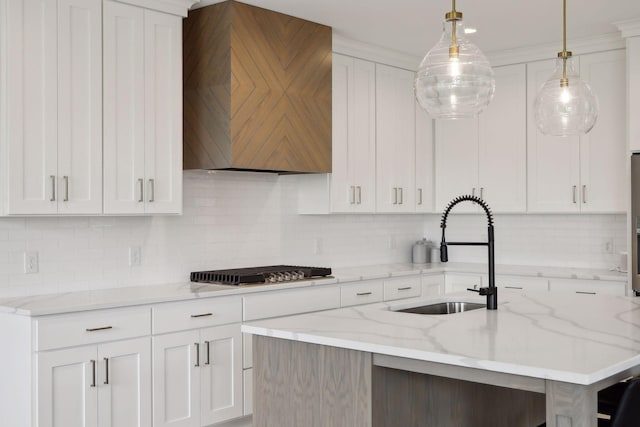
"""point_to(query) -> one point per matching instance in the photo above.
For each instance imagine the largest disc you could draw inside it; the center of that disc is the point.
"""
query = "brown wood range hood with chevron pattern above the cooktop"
(257, 91)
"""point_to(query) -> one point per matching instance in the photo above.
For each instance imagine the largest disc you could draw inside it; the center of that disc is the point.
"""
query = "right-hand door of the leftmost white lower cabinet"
(124, 383)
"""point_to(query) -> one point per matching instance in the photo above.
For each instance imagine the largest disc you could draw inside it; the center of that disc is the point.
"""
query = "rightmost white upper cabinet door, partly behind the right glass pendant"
(603, 156)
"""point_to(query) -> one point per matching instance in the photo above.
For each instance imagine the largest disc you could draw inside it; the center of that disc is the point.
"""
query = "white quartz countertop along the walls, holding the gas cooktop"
(40, 305)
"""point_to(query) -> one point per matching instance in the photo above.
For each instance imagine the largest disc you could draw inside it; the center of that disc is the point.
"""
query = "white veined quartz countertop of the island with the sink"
(579, 339)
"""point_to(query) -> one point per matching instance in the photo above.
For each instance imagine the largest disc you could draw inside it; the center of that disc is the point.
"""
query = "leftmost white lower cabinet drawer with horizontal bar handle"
(90, 327)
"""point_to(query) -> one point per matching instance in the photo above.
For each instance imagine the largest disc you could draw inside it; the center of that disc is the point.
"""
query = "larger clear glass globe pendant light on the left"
(455, 79)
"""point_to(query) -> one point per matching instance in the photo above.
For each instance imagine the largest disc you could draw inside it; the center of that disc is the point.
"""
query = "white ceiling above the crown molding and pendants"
(414, 26)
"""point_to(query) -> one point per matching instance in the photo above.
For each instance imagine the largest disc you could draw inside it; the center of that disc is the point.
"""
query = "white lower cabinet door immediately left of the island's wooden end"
(221, 373)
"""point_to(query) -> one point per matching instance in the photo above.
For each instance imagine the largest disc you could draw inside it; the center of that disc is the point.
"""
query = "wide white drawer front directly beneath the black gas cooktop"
(284, 303)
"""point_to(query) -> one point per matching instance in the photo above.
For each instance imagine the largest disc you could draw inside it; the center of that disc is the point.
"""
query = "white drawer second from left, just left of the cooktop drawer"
(178, 316)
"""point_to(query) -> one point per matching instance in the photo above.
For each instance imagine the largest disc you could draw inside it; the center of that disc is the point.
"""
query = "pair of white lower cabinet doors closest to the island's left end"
(197, 377)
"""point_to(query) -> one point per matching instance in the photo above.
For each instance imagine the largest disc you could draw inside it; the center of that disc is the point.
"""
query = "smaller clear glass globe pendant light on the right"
(565, 104)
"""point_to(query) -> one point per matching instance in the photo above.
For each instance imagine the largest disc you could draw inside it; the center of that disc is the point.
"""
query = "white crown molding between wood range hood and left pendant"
(374, 53)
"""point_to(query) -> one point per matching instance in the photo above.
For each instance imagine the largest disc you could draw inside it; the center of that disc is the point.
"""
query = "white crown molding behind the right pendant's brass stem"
(581, 46)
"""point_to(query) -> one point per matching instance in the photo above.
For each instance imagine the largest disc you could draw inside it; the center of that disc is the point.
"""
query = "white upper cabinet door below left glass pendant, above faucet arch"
(456, 146)
